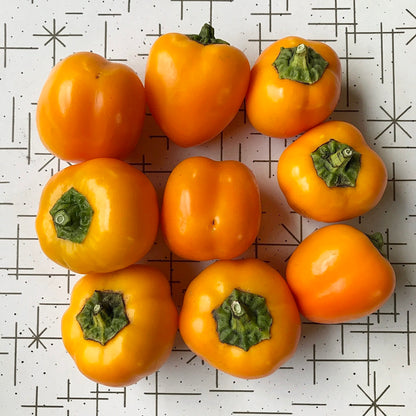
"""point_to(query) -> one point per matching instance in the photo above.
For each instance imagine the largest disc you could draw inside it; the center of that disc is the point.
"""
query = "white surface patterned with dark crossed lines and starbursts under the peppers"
(365, 367)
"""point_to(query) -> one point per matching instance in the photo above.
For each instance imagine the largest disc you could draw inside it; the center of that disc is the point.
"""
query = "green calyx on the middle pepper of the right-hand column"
(337, 164)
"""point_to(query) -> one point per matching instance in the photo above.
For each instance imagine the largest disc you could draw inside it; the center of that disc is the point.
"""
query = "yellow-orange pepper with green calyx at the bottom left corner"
(120, 326)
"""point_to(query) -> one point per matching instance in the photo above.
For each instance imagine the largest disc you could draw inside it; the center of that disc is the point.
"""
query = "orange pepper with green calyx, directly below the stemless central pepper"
(240, 316)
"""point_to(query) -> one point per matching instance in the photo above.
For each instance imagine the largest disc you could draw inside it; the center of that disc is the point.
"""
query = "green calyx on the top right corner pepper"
(301, 64)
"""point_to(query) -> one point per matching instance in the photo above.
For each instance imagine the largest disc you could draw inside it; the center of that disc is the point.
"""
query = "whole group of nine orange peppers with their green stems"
(100, 216)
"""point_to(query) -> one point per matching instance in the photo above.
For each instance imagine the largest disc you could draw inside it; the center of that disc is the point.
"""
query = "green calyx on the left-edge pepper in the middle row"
(72, 215)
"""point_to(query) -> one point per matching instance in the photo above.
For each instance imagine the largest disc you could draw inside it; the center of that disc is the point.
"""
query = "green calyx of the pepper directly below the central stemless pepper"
(243, 319)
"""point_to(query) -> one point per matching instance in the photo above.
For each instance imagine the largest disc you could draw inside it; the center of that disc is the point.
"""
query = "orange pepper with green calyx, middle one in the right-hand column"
(330, 173)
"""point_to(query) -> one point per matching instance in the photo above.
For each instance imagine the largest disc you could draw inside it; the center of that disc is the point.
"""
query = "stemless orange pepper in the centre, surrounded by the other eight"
(210, 210)
